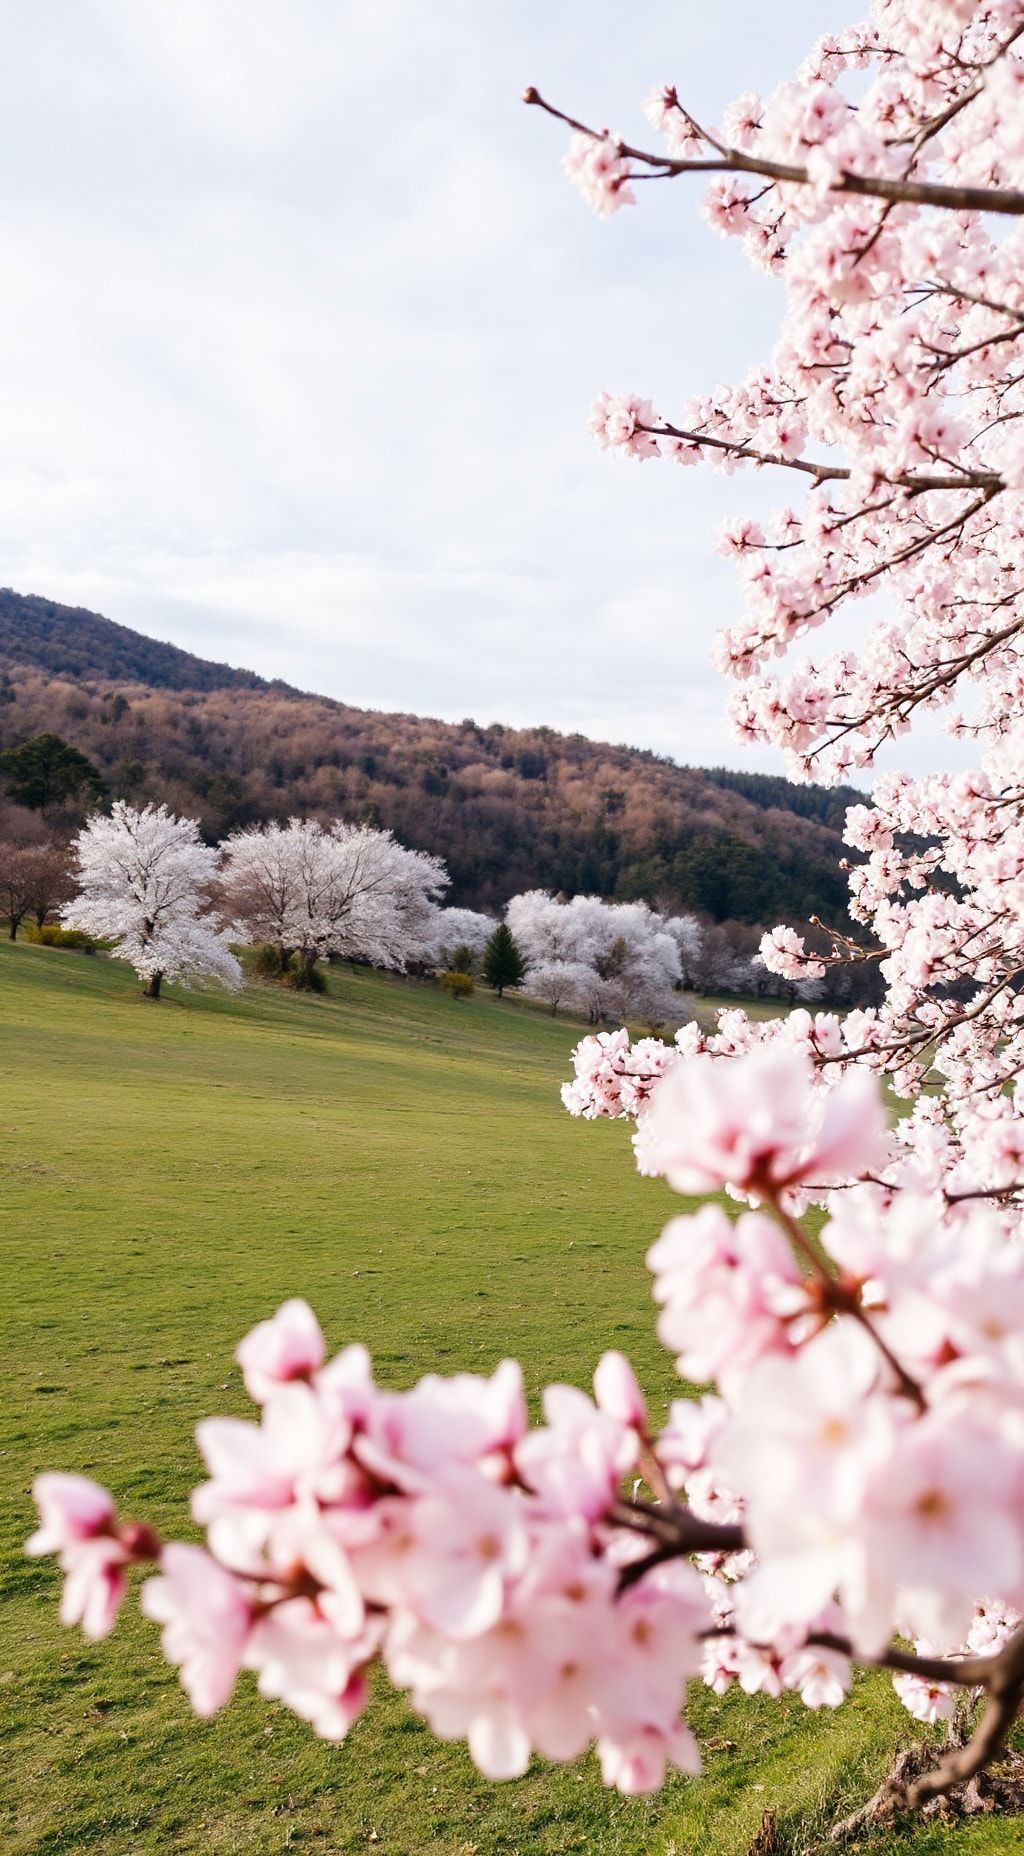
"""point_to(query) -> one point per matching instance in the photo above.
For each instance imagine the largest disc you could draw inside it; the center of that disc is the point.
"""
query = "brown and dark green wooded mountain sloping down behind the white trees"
(509, 808)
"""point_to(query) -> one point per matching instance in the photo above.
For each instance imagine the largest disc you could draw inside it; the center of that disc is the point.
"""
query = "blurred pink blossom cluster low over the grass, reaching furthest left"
(433, 1530)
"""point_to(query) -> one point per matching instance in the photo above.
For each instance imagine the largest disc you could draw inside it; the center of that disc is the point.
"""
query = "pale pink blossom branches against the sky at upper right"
(895, 387)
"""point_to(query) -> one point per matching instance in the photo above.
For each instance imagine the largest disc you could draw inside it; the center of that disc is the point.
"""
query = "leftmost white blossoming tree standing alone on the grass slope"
(146, 883)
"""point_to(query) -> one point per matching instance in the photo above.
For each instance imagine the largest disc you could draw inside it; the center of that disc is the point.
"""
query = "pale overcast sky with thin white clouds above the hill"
(301, 324)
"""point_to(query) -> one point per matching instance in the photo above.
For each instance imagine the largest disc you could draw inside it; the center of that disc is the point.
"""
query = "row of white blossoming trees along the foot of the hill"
(146, 886)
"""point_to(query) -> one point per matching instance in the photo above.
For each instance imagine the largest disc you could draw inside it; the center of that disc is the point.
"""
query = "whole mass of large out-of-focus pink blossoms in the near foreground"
(858, 1473)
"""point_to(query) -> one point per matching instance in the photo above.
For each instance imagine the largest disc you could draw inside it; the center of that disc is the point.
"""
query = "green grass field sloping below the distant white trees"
(168, 1176)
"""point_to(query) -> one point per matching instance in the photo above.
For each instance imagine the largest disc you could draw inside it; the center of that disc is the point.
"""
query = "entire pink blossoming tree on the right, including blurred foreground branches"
(852, 1488)
